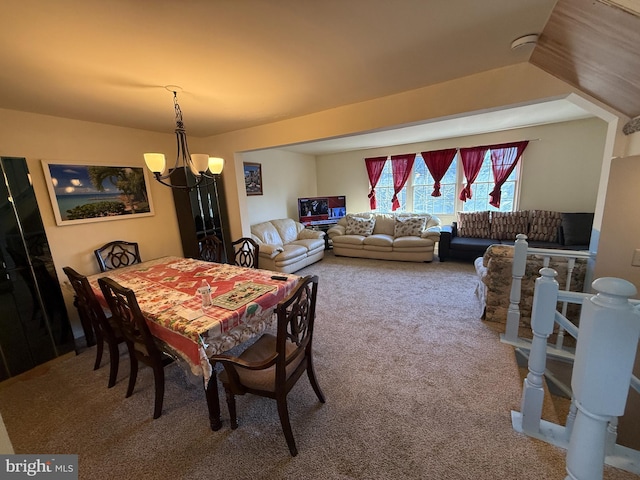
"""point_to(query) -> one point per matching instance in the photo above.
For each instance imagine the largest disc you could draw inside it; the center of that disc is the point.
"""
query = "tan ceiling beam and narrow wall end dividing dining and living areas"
(491, 90)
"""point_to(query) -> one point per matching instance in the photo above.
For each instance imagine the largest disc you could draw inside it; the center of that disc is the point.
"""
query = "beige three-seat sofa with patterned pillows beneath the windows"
(404, 236)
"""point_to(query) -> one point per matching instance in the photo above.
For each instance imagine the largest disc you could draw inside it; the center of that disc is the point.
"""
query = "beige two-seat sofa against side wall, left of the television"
(286, 245)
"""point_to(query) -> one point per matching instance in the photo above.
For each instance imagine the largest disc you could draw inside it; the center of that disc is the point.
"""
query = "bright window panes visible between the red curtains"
(416, 195)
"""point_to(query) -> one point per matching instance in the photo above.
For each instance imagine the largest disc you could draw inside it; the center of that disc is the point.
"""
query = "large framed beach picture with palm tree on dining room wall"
(82, 193)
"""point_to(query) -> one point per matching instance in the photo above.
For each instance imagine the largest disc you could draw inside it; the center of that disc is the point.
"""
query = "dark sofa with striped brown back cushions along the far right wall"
(469, 237)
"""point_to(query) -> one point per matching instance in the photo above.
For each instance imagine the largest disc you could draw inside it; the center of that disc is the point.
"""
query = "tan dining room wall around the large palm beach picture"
(41, 137)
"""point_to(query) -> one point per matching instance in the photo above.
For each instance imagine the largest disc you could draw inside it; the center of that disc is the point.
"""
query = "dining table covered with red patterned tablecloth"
(169, 293)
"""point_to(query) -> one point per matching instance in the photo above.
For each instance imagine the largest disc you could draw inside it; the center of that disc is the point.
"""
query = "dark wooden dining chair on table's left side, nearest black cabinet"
(104, 326)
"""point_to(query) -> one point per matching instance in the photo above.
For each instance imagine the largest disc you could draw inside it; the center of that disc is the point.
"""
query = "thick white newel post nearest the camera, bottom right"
(601, 380)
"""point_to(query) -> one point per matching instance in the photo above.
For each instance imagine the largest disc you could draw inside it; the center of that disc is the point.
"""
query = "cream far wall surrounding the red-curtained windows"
(571, 151)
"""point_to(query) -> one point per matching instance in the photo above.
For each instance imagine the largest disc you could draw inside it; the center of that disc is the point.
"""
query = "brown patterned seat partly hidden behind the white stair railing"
(494, 270)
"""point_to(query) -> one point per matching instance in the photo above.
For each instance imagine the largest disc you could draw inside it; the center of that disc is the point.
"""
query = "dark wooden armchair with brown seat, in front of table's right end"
(272, 365)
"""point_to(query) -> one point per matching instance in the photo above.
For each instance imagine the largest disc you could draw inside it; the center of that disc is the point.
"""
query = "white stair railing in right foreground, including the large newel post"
(609, 322)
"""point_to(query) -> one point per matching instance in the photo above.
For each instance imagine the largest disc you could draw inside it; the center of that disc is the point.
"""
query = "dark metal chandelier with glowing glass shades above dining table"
(200, 166)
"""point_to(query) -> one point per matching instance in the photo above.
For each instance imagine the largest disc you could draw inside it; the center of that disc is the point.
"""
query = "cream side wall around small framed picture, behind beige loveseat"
(285, 177)
